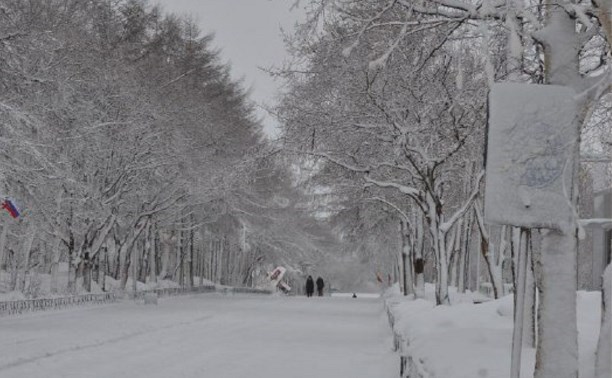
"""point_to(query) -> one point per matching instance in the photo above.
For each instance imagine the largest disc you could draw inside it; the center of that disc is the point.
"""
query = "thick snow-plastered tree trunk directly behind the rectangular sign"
(556, 270)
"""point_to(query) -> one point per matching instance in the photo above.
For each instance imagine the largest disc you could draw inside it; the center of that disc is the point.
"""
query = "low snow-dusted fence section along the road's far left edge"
(44, 304)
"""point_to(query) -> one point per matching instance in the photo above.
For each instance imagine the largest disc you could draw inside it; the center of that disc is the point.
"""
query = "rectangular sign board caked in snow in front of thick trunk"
(530, 155)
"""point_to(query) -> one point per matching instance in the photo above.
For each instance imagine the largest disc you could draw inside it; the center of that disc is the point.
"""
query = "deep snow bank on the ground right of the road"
(469, 340)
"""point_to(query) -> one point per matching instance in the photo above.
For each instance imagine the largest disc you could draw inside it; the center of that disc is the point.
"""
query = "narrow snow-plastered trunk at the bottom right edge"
(603, 362)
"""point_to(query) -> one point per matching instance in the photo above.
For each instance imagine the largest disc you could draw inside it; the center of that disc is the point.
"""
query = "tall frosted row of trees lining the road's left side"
(131, 152)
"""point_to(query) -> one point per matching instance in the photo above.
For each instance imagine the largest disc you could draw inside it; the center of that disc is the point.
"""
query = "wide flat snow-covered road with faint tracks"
(203, 336)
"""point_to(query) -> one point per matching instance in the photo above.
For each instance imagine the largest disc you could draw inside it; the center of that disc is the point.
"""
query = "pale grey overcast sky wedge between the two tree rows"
(248, 32)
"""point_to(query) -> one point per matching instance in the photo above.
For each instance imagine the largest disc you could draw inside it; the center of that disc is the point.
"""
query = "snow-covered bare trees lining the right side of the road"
(389, 98)
